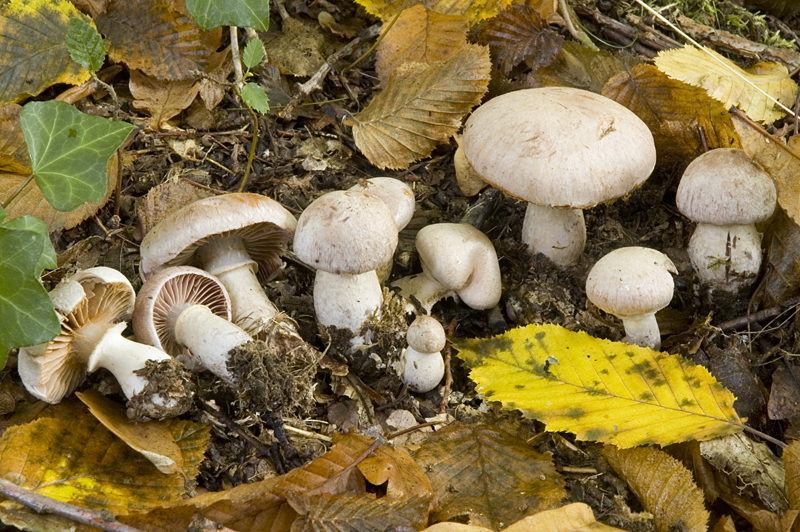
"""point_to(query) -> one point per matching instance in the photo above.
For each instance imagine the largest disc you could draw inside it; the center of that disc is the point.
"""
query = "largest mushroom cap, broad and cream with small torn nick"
(559, 147)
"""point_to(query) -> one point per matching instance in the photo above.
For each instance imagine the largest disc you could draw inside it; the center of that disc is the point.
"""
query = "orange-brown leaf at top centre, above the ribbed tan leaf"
(420, 36)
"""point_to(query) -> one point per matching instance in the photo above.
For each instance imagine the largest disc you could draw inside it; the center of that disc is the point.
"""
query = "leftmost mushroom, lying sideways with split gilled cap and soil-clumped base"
(93, 305)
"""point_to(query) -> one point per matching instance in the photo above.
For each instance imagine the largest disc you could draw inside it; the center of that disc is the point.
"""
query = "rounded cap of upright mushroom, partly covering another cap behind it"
(346, 232)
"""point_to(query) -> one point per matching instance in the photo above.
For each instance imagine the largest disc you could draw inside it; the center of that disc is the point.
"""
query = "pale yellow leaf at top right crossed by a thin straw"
(697, 68)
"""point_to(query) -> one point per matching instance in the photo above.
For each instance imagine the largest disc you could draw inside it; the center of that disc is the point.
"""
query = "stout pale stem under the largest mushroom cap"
(559, 234)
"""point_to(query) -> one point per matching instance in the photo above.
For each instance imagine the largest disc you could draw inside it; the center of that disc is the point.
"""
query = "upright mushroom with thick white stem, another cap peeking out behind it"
(346, 235)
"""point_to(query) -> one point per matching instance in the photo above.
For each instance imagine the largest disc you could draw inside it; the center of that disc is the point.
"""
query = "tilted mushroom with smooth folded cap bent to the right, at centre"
(457, 259)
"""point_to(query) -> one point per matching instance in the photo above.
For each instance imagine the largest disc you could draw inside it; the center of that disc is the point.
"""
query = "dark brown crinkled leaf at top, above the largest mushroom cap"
(521, 34)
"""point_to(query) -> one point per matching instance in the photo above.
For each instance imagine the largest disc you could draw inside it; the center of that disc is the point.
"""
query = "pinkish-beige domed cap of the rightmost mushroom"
(726, 187)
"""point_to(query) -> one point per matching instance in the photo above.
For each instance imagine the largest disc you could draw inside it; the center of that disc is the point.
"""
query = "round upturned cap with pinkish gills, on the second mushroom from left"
(165, 295)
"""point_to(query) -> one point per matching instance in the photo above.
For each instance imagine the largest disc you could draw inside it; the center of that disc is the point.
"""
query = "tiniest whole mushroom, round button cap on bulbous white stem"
(423, 366)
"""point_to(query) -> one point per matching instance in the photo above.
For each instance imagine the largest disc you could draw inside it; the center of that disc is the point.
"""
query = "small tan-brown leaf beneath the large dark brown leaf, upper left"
(162, 99)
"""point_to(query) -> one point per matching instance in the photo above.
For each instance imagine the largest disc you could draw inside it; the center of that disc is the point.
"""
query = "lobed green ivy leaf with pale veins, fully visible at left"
(69, 151)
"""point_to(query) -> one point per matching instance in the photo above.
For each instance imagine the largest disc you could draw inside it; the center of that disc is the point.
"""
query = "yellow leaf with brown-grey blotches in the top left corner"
(33, 51)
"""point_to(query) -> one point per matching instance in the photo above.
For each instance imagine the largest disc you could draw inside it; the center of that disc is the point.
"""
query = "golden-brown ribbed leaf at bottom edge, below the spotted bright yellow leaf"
(663, 485)
